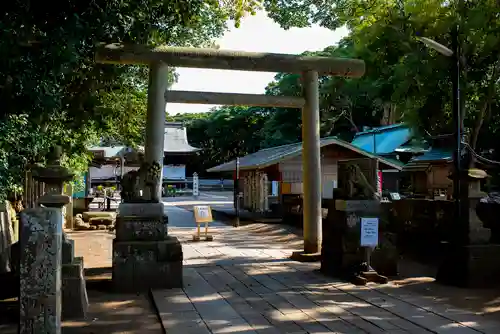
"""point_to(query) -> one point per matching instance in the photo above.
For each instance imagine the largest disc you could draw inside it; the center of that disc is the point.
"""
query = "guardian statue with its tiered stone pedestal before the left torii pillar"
(144, 255)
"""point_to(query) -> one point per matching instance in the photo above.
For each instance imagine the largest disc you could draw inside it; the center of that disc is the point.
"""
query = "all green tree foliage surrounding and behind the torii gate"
(52, 92)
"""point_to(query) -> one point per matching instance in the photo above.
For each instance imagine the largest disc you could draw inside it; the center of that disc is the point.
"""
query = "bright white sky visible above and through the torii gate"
(256, 34)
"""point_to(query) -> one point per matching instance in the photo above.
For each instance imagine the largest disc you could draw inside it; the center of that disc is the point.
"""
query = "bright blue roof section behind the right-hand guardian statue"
(386, 138)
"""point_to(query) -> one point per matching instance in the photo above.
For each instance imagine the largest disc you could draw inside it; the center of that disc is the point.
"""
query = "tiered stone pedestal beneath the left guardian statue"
(144, 256)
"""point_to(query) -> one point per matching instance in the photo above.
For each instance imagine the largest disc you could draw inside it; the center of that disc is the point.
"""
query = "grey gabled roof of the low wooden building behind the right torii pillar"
(274, 155)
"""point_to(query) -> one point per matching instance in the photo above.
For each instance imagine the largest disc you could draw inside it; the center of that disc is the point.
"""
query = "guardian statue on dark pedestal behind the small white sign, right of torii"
(342, 254)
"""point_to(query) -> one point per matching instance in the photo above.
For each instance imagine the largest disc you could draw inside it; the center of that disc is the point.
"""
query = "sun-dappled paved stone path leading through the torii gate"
(243, 282)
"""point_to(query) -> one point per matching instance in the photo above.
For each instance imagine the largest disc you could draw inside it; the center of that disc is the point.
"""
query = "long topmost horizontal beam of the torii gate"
(228, 60)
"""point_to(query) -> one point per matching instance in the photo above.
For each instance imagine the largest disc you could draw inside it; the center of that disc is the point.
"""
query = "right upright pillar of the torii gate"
(311, 161)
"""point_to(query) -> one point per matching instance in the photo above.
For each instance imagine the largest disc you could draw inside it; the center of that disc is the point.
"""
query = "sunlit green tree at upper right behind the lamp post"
(413, 79)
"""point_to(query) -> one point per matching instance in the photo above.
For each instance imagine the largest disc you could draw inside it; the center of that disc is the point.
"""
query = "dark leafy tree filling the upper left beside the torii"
(51, 87)
